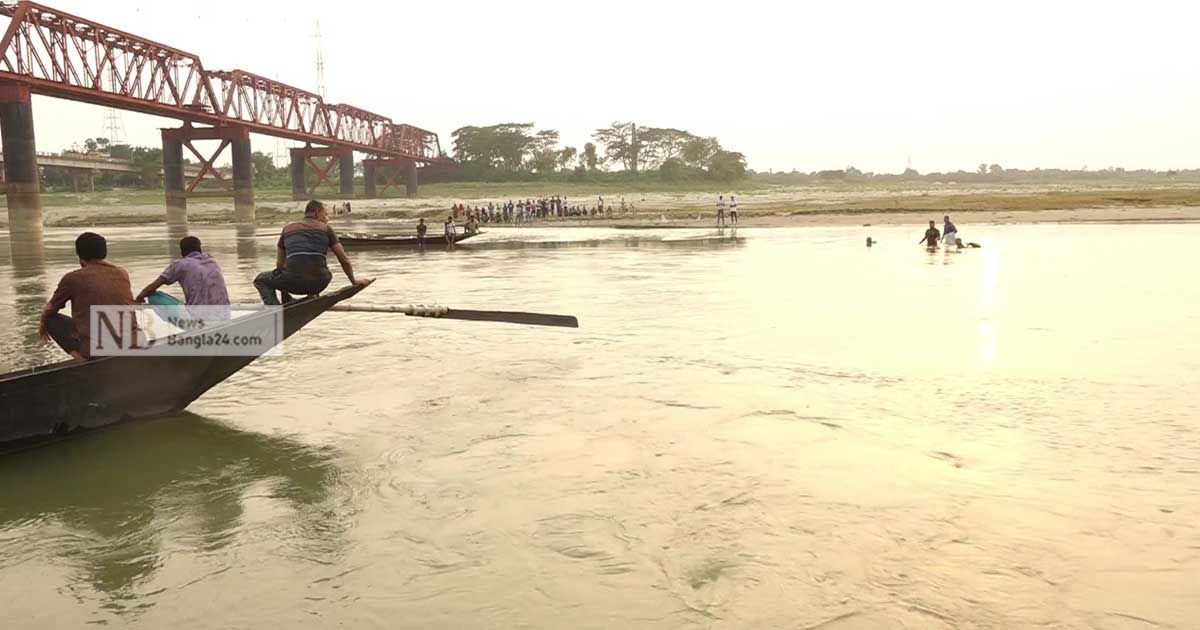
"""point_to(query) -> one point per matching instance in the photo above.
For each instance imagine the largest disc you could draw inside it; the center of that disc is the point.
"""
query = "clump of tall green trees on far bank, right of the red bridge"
(520, 152)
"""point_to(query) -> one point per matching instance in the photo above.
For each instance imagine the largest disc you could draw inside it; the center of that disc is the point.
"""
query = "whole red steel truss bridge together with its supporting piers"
(53, 53)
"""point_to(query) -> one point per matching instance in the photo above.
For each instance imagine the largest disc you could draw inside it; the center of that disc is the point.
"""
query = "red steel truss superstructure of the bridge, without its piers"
(68, 57)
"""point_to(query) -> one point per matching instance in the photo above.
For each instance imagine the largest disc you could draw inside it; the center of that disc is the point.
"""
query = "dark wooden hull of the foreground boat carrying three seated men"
(46, 403)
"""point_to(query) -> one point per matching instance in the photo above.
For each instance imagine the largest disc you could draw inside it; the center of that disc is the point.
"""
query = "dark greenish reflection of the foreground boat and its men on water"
(118, 503)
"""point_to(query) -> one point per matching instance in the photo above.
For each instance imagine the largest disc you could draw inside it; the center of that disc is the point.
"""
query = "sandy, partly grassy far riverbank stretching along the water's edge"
(763, 208)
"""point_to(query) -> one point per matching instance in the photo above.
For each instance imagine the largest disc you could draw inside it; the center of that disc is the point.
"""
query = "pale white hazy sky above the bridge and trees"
(805, 86)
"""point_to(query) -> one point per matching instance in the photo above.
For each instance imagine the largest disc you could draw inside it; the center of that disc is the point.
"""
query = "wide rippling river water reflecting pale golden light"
(771, 429)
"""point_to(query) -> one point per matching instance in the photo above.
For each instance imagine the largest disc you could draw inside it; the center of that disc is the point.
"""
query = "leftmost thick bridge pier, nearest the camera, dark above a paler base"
(21, 173)
